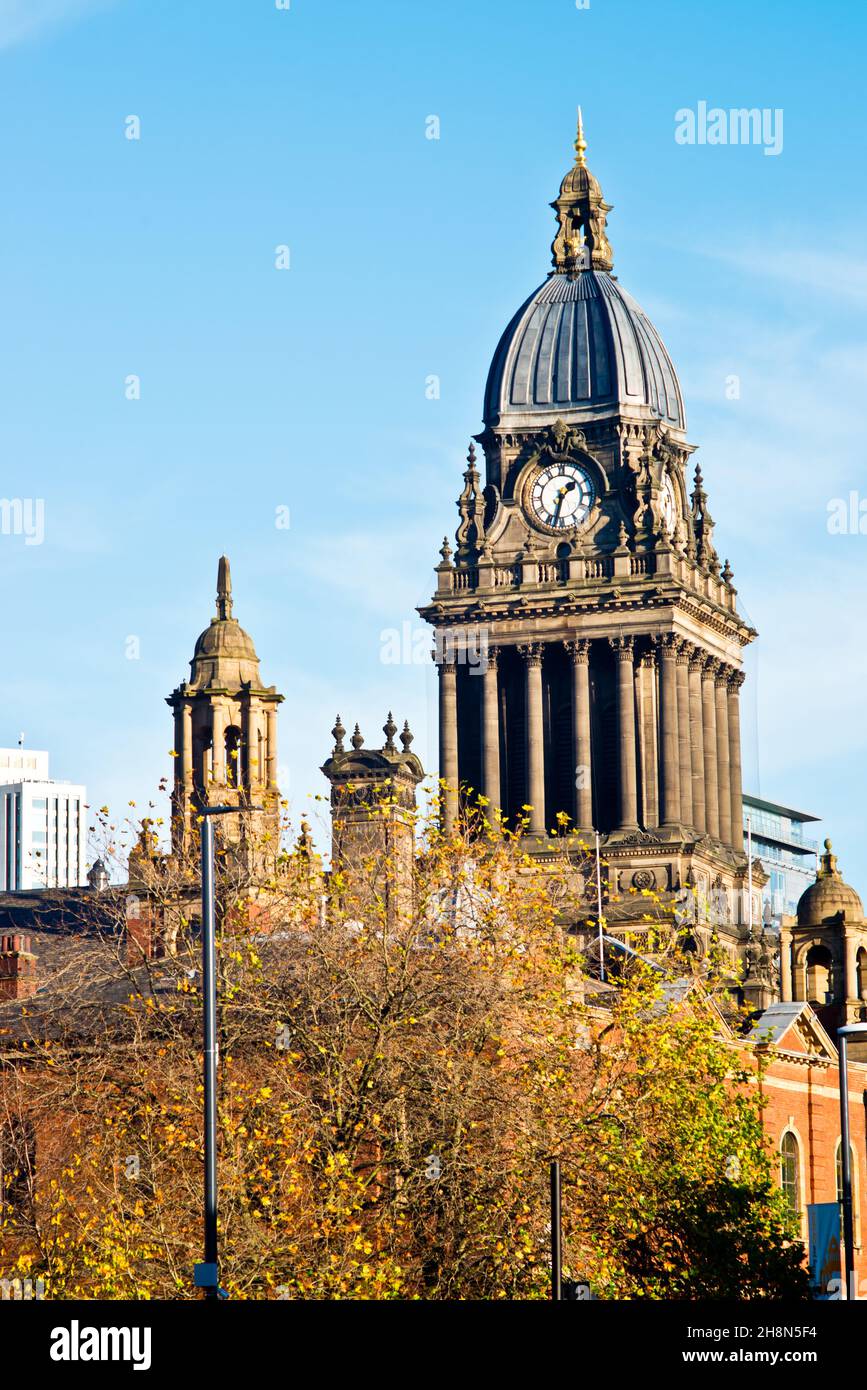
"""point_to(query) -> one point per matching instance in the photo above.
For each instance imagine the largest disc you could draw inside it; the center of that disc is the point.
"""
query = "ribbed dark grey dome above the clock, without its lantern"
(581, 345)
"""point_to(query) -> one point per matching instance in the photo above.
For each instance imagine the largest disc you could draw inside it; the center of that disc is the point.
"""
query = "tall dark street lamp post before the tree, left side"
(208, 1273)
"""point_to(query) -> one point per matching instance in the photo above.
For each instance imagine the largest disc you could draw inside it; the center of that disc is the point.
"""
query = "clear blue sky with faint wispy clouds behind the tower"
(306, 389)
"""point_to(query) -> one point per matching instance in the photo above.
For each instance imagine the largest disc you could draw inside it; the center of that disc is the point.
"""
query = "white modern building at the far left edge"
(44, 825)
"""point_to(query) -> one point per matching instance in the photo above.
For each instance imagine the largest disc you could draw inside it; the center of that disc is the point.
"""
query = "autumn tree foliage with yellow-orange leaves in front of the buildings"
(393, 1088)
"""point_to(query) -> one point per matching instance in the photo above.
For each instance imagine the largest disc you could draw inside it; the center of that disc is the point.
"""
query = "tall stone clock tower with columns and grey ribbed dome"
(588, 639)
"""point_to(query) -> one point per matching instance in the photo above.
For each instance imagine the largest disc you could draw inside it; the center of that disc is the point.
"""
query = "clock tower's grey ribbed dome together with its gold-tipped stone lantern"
(581, 348)
